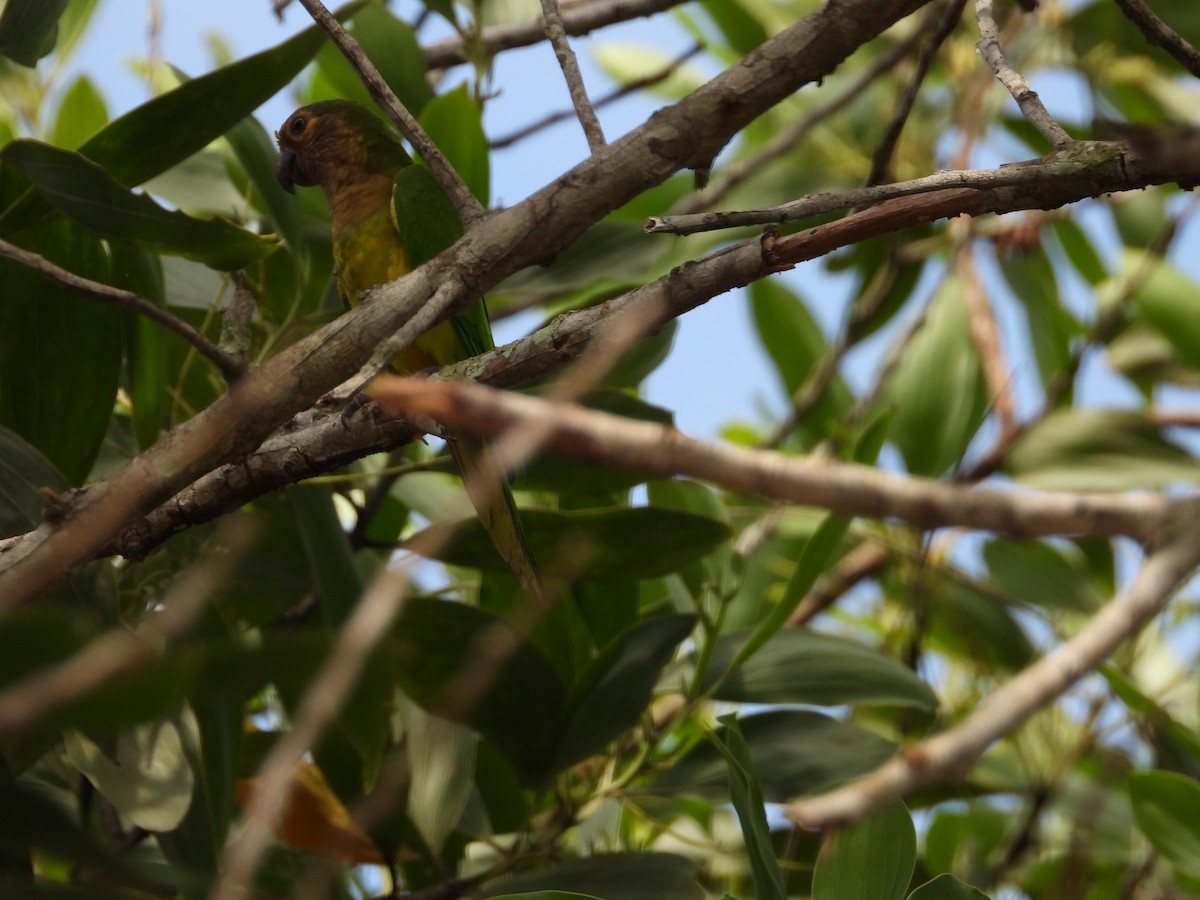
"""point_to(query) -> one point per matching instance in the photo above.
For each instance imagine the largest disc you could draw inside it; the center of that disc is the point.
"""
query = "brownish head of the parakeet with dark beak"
(335, 143)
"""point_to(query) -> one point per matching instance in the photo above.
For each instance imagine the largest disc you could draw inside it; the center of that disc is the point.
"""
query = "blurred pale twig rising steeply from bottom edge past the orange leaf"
(370, 623)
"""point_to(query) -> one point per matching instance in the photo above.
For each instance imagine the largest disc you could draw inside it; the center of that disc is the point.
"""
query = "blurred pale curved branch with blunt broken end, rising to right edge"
(951, 754)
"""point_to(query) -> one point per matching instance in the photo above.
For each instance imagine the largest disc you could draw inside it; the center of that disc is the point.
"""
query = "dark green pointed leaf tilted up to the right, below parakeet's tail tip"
(615, 689)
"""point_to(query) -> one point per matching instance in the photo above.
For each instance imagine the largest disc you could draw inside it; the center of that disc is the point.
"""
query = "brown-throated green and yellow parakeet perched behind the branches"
(389, 215)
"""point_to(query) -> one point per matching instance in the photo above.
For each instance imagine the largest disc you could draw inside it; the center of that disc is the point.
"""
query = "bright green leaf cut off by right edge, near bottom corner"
(1165, 805)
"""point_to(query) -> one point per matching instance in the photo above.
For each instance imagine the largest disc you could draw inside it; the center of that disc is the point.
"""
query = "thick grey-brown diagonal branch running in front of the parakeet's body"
(683, 136)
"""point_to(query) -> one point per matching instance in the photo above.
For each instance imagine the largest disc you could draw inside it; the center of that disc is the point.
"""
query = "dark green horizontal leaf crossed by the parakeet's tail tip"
(603, 545)
